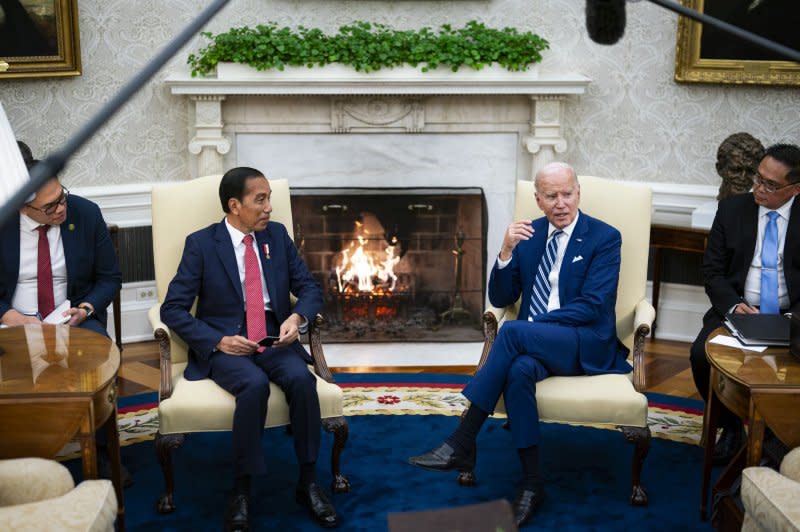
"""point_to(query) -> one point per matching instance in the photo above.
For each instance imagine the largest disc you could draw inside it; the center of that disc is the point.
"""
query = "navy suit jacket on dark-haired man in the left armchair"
(208, 272)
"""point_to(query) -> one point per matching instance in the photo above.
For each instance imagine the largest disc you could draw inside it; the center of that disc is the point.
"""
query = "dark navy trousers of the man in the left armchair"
(247, 378)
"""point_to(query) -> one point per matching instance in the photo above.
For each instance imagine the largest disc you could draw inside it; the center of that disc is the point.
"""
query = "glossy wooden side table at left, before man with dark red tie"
(57, 383)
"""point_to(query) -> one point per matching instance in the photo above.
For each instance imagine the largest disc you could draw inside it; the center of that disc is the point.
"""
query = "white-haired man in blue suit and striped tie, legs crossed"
(565, 266)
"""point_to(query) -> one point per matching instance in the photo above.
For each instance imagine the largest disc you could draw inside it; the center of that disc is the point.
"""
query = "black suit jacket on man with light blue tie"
(730, 248)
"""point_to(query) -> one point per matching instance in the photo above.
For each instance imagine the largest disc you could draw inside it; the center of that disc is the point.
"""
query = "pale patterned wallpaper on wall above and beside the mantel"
(635, 122)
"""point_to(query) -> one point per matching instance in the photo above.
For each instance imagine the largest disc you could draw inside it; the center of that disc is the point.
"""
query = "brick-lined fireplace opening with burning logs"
(396, 264)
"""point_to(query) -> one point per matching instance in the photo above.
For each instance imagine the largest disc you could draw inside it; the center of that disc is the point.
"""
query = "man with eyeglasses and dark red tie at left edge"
(58, 249)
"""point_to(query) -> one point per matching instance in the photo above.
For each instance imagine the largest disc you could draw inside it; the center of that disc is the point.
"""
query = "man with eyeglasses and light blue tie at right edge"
(751, 264)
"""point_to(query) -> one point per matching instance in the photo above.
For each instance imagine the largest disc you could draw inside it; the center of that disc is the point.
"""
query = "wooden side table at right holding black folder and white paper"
(763, 388)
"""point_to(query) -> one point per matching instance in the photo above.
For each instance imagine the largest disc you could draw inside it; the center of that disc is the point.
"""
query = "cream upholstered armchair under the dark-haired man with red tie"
(201, 406)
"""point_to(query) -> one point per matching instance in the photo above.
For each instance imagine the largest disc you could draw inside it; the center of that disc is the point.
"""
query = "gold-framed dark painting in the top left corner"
(39, 38)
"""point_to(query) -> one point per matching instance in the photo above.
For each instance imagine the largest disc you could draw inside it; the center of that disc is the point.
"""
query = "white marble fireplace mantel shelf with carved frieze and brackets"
(404, 100)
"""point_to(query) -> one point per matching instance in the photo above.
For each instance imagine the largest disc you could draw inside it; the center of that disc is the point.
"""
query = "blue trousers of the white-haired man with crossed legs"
(523, 354)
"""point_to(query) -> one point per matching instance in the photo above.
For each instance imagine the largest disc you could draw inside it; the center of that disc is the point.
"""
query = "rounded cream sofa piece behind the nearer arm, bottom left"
(24, 480)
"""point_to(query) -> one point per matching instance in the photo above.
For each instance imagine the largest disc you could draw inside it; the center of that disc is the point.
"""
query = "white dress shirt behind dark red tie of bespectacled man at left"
(26, 296)
